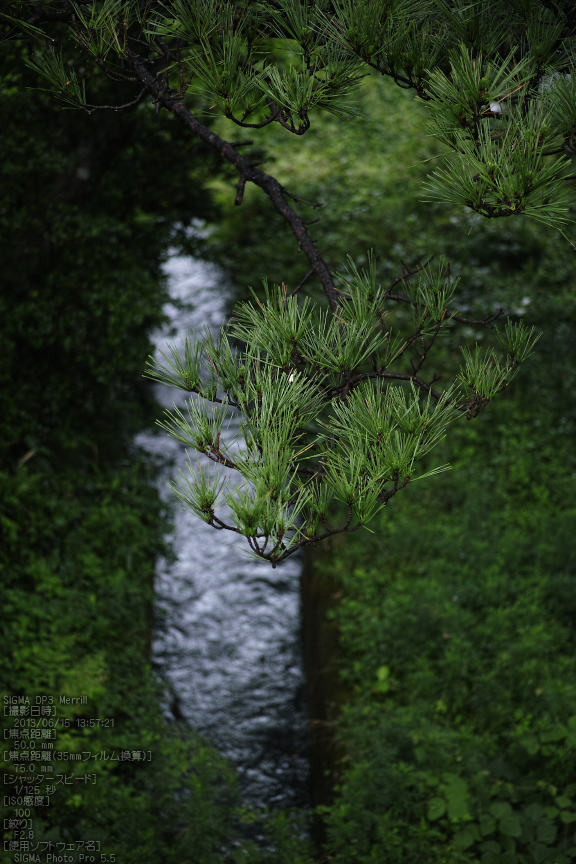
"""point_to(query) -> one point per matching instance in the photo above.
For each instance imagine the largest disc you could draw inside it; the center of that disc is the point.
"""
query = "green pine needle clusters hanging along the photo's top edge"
(496, 77)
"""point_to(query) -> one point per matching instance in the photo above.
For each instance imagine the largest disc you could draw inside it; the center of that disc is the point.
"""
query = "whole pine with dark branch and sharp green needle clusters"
(333, 401)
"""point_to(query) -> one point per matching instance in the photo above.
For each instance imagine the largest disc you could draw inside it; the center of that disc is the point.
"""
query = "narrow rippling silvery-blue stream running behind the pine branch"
(230, 636)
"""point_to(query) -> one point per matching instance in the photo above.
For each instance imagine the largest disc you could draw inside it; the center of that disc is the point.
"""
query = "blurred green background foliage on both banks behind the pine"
(456, 616)
